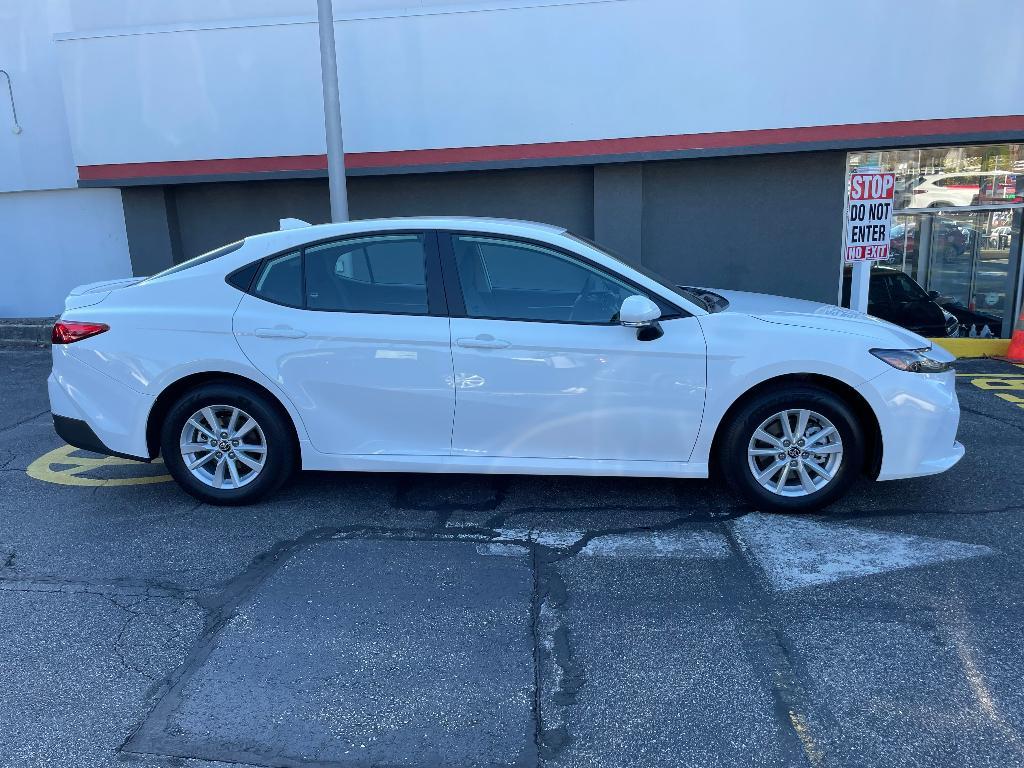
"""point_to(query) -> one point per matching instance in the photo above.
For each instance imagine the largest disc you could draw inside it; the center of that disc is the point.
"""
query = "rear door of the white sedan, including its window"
(356, 331)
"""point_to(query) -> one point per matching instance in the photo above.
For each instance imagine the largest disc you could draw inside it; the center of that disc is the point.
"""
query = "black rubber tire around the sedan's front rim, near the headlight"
(733, 461)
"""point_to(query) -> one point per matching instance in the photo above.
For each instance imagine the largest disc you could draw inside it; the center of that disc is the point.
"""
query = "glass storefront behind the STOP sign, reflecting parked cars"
(957, 231)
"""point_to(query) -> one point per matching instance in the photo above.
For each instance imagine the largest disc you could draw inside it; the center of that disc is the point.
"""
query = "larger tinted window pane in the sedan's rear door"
(377, 274)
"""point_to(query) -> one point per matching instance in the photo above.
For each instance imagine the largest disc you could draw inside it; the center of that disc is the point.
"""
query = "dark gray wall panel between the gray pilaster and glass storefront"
(772, 224)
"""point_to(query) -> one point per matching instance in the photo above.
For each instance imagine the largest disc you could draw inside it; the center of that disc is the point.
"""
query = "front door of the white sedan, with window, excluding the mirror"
(544, 370)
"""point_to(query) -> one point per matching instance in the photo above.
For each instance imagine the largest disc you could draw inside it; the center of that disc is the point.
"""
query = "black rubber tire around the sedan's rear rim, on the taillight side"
(282, 458)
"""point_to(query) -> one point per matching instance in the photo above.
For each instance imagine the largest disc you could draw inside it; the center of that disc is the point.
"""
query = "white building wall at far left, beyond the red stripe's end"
(53, 235)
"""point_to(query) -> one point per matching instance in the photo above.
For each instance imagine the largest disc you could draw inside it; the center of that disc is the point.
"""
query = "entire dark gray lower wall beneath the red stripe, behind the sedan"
(770, 224)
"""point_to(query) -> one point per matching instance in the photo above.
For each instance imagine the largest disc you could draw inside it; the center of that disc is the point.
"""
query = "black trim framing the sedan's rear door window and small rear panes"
(437, 301)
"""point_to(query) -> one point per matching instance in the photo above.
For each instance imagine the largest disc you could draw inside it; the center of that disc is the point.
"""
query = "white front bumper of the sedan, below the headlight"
(919, 415)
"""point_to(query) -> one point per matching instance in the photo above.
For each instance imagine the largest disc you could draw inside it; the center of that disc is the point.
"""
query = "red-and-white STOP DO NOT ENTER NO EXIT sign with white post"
(869, 219)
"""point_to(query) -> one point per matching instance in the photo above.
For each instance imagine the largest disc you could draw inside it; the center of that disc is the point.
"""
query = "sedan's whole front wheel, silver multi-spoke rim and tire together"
(793, 450)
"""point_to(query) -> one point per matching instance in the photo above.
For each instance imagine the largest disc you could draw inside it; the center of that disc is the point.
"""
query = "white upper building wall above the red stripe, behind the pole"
(191, 84)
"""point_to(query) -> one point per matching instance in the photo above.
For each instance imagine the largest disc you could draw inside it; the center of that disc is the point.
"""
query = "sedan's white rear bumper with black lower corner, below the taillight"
(112, 416)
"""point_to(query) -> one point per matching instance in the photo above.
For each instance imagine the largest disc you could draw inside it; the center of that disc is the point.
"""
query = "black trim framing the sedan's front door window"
(457, 302)
